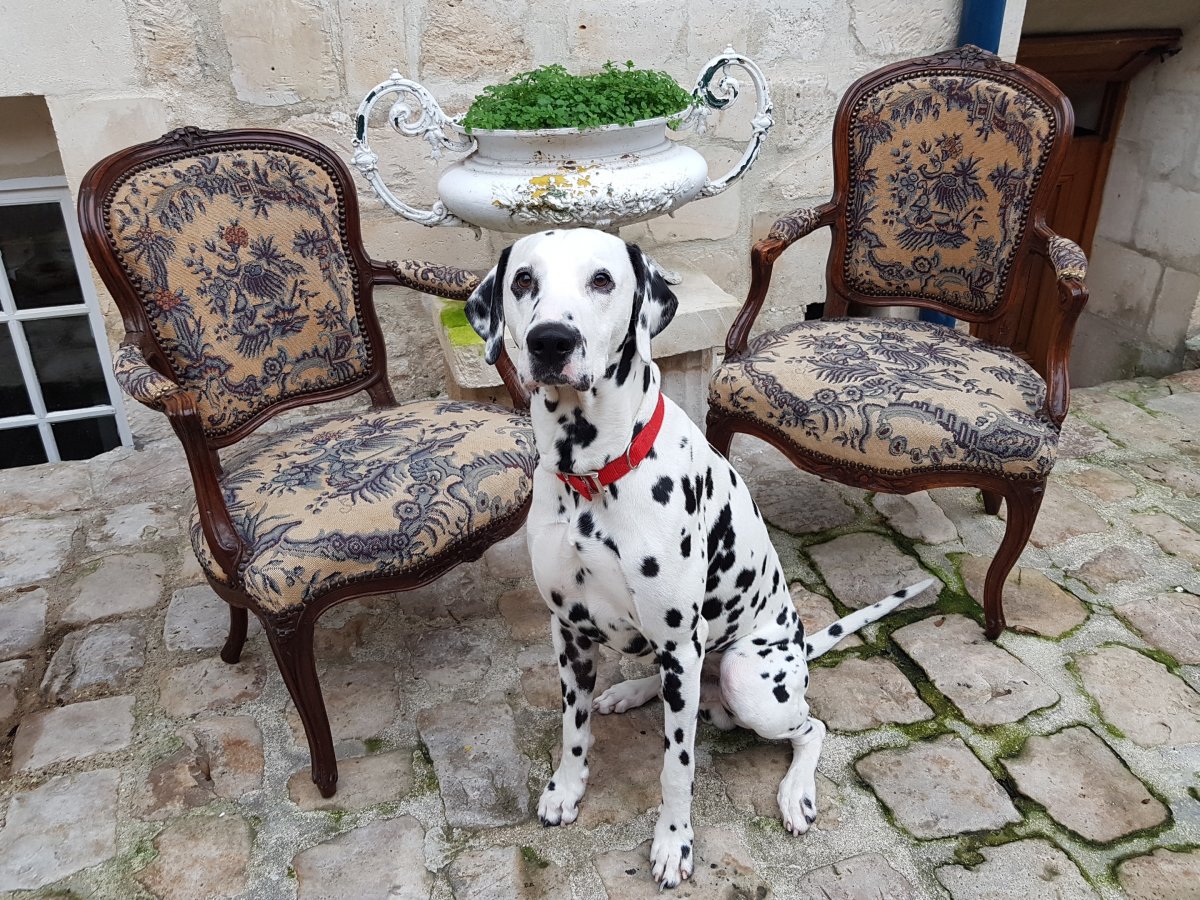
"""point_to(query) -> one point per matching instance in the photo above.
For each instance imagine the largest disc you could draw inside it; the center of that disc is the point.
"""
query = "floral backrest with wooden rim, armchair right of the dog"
(943, 165)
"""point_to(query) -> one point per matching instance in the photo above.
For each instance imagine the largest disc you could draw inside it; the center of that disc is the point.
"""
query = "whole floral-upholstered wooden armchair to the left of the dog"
(237, 262)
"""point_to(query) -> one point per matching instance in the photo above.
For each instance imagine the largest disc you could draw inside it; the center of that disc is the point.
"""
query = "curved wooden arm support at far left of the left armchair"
(202, 461)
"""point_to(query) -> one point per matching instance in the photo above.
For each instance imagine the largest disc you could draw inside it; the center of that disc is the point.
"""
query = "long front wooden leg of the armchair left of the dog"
(292, 646)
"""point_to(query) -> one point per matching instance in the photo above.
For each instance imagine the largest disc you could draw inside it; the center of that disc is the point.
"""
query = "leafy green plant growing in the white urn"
(551, 98)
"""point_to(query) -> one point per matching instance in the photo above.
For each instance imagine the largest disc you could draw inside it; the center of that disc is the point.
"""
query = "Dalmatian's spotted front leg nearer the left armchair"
(560, 802)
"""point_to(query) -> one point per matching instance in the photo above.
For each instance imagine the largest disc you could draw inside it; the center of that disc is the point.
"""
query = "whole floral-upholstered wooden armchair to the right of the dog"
(944, 171)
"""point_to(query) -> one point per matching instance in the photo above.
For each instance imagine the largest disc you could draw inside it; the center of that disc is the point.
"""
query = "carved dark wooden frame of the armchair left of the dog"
(290, 633)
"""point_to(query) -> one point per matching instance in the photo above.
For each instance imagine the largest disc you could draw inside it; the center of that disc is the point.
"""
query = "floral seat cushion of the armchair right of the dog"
(895, 398)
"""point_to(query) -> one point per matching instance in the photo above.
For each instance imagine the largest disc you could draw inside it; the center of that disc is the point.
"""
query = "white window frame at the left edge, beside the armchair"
(25, 191)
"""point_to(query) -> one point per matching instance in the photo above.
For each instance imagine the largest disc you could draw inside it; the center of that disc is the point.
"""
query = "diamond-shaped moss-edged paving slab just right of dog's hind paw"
(937, 789)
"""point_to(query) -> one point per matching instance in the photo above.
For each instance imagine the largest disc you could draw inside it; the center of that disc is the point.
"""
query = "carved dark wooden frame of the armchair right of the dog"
(1047, 353)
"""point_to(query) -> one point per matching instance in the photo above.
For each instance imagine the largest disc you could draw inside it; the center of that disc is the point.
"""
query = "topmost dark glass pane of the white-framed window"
(38, 256)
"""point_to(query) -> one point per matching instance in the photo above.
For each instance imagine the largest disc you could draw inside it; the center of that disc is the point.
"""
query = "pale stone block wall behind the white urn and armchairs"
(115, 73)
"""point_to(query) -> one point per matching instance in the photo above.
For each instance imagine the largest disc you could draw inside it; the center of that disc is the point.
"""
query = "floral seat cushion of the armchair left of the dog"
(371, 495)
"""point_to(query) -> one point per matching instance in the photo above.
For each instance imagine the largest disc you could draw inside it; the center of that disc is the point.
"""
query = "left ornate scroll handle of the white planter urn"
(416, 113)
